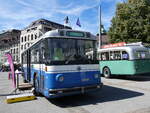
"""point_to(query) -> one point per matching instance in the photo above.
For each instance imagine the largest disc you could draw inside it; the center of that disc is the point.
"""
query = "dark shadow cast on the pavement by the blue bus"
(106, 94)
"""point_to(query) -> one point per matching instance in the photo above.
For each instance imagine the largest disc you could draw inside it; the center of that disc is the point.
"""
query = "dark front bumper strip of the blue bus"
(75, 90)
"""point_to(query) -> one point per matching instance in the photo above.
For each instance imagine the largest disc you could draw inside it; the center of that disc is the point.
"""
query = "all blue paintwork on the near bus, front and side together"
(71, 80)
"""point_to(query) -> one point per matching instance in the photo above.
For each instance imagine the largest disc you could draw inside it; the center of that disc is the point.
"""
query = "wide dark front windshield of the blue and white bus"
(68, 51)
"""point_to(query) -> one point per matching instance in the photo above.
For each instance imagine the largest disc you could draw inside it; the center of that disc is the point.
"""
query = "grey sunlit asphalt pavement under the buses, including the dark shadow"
(118, 95)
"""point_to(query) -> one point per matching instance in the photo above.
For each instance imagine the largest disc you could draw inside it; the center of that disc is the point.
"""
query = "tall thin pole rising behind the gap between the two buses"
(100, 25)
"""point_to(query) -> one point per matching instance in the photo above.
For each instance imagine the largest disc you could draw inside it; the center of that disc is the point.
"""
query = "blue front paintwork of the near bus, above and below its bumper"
(71, 80)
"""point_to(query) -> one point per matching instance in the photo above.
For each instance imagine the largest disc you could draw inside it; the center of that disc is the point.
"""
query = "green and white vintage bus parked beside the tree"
(130, 59)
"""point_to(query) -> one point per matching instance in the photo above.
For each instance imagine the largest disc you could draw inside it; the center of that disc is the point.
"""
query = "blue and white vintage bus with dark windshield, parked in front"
(57, 64)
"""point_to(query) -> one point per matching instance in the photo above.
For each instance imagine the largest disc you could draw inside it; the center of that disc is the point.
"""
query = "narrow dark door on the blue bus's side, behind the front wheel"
(28, 66)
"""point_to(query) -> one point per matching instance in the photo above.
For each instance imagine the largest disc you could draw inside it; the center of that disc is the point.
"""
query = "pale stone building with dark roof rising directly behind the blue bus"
(31, 33)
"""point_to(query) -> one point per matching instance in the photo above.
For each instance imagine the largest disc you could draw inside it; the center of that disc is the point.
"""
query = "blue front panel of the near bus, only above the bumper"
(75, 79)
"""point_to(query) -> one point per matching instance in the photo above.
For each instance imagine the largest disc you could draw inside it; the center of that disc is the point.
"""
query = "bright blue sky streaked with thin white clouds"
(25, 11)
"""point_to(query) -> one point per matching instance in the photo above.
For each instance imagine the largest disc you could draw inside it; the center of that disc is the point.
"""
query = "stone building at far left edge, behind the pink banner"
(9, 42)
